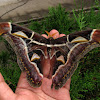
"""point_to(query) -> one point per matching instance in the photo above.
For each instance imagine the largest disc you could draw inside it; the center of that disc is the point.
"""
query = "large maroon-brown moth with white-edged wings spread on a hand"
(63, 54)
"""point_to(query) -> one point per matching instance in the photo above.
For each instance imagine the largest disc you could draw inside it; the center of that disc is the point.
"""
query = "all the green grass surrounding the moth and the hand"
(85, 83)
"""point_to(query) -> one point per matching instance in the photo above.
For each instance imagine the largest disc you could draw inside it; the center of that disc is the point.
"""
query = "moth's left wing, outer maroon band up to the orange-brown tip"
(19, 38)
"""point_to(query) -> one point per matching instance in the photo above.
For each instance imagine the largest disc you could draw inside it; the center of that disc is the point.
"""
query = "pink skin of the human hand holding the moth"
(25, 92)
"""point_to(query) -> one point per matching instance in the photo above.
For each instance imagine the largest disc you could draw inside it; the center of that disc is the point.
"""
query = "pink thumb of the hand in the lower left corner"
(5, 92)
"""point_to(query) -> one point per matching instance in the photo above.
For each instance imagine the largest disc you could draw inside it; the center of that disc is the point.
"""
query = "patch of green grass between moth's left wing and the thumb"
(9, 67)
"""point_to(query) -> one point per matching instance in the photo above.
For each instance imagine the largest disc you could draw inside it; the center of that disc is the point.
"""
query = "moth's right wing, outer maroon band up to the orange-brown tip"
(79, 44)
